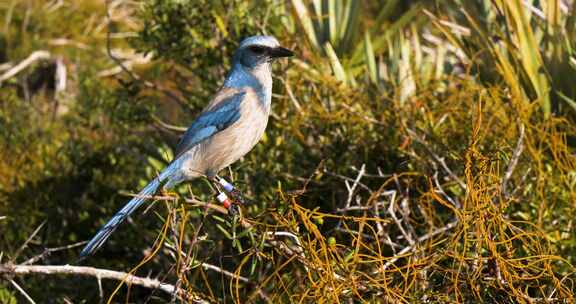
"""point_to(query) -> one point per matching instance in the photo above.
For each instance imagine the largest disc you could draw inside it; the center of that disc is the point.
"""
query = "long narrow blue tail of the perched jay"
(105, 232)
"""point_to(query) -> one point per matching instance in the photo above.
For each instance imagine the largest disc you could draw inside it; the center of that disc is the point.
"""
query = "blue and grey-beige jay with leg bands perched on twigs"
(228, 128)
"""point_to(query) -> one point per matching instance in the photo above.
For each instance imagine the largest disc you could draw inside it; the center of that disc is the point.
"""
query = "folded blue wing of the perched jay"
(211, 122)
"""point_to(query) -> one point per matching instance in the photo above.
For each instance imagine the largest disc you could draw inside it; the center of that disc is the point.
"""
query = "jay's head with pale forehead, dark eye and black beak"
(258, 50)
